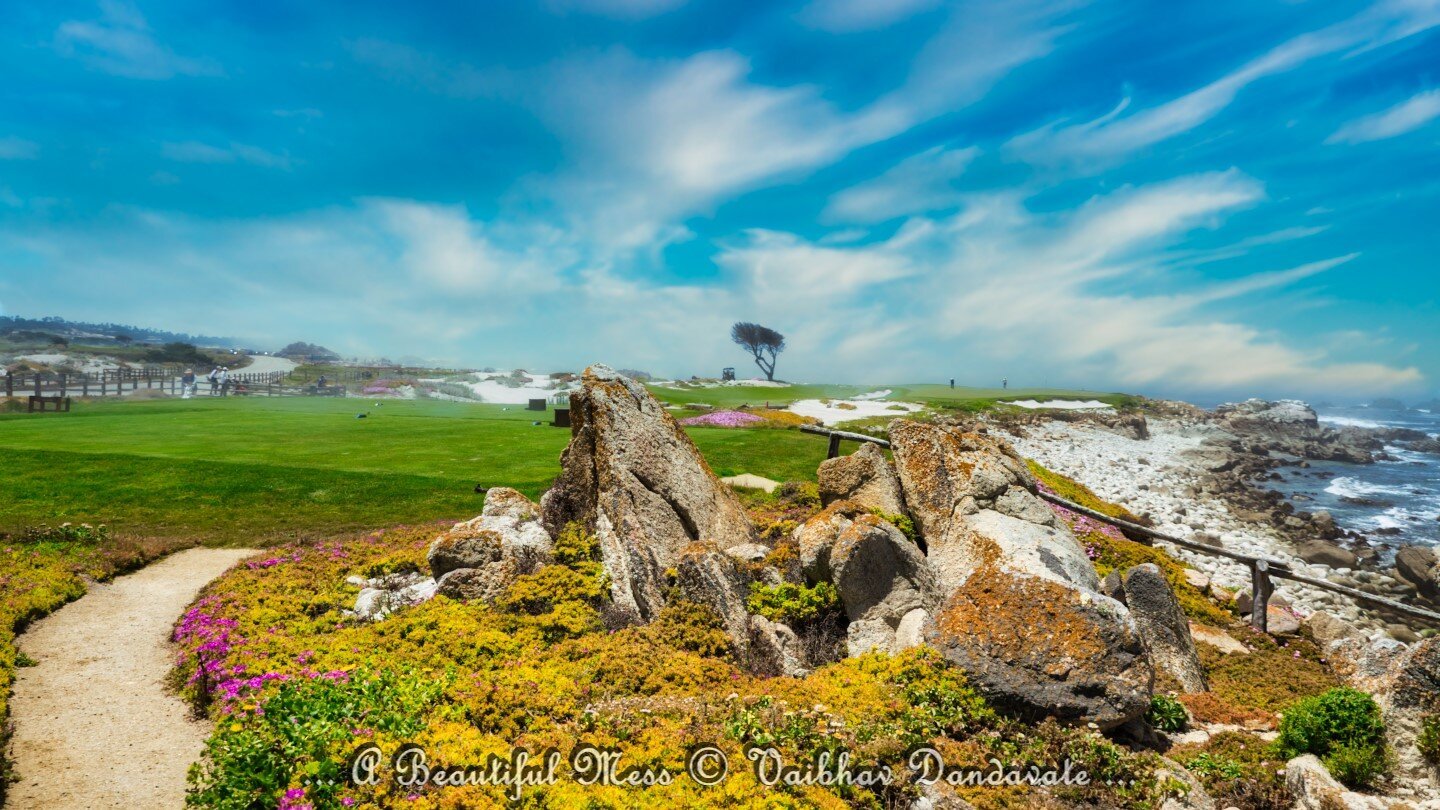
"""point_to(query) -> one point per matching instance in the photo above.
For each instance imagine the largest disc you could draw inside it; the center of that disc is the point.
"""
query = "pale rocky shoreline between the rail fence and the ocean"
(1205, 476)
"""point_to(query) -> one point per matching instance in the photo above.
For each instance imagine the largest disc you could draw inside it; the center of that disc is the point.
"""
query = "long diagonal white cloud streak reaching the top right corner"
(1110, 139)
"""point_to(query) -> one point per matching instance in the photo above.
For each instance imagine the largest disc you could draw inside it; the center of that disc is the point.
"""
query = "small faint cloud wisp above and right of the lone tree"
(917, 185)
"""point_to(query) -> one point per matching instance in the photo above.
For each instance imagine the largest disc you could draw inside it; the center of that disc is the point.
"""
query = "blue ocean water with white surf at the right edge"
(1402, 495)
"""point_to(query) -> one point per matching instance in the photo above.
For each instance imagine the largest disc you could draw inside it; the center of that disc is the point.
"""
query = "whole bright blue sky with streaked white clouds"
(1194, 200)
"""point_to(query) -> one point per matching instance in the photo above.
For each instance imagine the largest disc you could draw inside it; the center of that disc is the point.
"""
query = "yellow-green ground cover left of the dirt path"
(44, 569)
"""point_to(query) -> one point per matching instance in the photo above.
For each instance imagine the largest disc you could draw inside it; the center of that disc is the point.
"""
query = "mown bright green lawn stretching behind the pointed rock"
(258, 471)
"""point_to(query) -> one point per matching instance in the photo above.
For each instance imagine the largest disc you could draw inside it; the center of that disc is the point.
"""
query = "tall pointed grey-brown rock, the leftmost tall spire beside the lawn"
(634, 479)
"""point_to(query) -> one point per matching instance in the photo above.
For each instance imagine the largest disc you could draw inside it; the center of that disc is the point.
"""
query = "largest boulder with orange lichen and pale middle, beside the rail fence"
(1023, 615)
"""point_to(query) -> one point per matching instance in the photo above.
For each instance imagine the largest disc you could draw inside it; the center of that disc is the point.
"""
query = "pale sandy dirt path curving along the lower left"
(94, 726)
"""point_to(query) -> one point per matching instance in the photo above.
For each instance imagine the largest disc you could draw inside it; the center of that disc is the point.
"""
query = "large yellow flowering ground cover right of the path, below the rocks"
(296, 687)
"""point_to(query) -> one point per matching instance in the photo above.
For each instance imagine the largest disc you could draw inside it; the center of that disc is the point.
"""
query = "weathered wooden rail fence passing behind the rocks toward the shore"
(1264, 570)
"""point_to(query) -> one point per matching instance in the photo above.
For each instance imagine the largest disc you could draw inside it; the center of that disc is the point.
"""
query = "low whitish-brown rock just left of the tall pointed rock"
(480, 558)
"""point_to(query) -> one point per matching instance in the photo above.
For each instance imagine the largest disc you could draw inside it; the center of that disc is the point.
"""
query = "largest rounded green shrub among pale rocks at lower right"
(1344, 729)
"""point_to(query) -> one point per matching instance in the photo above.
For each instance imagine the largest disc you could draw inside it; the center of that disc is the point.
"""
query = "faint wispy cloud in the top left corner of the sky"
(120, 43)
